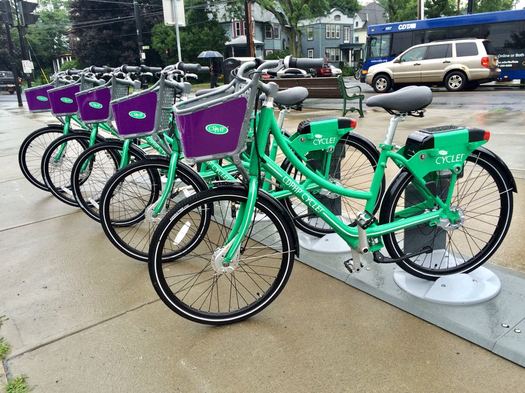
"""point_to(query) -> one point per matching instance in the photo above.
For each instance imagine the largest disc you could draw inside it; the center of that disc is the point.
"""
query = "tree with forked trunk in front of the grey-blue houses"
(290, 12)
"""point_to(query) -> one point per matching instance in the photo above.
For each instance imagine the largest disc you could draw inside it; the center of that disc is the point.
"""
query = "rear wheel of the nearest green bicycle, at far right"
(483, 203)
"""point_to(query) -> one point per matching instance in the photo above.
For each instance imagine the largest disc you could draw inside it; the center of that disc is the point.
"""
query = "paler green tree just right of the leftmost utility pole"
(48, 37)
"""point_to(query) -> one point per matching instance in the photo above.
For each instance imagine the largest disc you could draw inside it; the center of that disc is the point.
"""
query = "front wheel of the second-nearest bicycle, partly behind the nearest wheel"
(127, 201)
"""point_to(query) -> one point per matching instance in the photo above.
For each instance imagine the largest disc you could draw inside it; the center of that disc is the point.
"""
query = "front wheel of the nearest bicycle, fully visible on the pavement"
(195, 285)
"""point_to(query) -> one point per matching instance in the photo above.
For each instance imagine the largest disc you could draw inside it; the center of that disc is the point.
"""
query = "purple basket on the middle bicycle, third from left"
(93, 104)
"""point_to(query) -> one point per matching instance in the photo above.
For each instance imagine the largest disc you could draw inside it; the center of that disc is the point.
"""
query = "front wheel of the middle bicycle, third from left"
(93, 169)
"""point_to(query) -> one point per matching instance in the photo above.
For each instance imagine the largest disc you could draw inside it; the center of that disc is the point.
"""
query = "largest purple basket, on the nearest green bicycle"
(212, 131)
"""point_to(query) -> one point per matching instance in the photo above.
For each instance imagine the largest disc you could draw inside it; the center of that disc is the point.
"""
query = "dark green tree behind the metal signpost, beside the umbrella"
(202, 32)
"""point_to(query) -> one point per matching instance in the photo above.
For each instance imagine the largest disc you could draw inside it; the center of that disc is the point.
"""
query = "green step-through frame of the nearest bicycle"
(419, 166)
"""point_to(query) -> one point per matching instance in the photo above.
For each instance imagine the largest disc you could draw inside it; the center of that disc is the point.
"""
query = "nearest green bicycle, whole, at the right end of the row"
(236, 244)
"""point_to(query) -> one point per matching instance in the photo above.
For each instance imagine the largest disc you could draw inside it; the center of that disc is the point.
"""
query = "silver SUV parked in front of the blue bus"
(458, 64)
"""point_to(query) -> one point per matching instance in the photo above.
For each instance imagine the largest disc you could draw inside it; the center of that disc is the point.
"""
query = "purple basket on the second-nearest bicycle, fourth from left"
(135, 115)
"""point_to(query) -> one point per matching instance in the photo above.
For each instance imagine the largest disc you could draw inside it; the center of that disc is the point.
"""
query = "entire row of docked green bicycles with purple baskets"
(212, 192)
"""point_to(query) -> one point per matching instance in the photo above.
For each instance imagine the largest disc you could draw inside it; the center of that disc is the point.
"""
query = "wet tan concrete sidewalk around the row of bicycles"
(84, 318)
